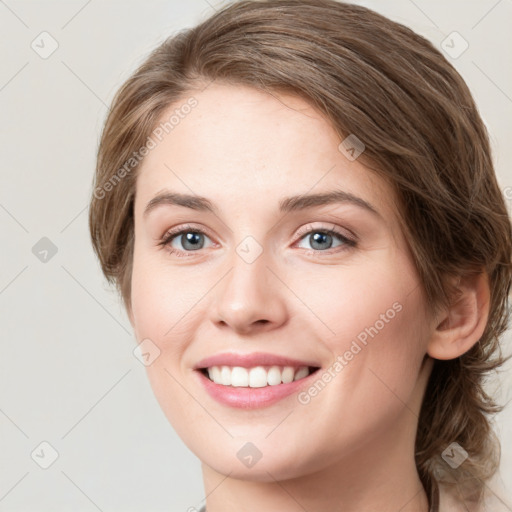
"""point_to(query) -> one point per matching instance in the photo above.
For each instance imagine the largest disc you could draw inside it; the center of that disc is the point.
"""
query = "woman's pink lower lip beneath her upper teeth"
(252, 398)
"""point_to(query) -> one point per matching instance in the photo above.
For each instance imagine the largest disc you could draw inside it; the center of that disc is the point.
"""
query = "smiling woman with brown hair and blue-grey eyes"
(298, 204)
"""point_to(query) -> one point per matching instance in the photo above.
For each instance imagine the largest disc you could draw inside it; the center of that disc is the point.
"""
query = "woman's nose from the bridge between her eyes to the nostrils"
(249, 294)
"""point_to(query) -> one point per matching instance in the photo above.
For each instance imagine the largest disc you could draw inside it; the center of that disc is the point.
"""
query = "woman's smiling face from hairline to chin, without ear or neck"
(267, 277)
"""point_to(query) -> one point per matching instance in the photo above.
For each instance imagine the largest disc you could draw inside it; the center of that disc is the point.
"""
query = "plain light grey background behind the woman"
(68, 375)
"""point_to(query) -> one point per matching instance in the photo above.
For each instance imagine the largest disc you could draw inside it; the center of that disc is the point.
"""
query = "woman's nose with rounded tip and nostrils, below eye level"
(250, 298)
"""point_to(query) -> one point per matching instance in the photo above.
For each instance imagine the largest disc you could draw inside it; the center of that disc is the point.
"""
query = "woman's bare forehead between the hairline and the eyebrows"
(244, 148)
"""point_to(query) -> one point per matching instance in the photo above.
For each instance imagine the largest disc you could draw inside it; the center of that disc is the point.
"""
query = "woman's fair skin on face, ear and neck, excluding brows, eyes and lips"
(351, 447)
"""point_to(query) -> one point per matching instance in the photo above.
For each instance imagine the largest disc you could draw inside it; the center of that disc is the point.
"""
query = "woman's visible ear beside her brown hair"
(462, 324)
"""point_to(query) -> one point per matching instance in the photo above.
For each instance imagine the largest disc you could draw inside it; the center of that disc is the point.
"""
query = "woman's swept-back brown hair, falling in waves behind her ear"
(379, 80)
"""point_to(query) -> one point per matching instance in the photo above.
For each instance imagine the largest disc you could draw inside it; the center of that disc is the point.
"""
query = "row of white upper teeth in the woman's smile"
(256, 377)
